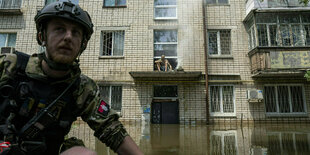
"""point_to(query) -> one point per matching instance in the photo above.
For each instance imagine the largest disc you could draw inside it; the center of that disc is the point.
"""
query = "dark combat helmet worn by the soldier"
(67, 10)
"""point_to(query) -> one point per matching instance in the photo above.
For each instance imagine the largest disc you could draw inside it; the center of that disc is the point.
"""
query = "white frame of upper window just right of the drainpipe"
(218, 38)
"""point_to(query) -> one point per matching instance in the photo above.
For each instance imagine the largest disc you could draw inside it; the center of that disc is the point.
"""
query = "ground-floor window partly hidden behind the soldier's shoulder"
(113, 96)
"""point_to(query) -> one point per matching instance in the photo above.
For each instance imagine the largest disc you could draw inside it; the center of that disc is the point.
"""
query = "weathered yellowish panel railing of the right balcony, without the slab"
(279, 60)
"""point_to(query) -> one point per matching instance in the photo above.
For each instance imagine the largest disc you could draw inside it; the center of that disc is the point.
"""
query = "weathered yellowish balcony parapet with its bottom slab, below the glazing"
(279, 62)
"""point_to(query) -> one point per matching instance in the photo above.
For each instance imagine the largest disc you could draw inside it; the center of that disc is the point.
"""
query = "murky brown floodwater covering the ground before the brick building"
(246, 139)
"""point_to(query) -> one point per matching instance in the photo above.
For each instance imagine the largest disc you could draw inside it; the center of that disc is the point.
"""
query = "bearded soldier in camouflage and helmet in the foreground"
(43, 94)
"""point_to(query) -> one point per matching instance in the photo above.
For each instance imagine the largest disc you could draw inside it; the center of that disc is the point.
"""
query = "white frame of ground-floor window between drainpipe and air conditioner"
(221, 113)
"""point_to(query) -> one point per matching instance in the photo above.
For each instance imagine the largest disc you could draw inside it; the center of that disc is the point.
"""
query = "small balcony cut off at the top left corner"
(10, 7)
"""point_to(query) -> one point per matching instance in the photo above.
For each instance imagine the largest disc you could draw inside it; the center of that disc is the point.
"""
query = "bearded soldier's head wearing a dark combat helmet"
(64, 29)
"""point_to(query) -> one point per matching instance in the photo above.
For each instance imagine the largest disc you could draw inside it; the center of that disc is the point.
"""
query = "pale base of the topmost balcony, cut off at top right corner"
(273, 5)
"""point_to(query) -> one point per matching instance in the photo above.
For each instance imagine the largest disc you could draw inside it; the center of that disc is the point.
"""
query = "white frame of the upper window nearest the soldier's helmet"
(101, 53)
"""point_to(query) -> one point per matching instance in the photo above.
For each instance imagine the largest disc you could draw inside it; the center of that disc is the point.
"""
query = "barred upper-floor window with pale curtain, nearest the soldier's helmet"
(112, 43)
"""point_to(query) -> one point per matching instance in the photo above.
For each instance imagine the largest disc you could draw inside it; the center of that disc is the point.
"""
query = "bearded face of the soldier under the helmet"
(63, 41)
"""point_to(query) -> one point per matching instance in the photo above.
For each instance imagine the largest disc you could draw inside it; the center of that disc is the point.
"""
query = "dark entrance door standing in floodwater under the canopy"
(165, 112)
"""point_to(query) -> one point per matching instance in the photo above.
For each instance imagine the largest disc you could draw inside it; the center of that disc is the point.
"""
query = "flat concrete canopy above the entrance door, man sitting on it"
(166, 76)
